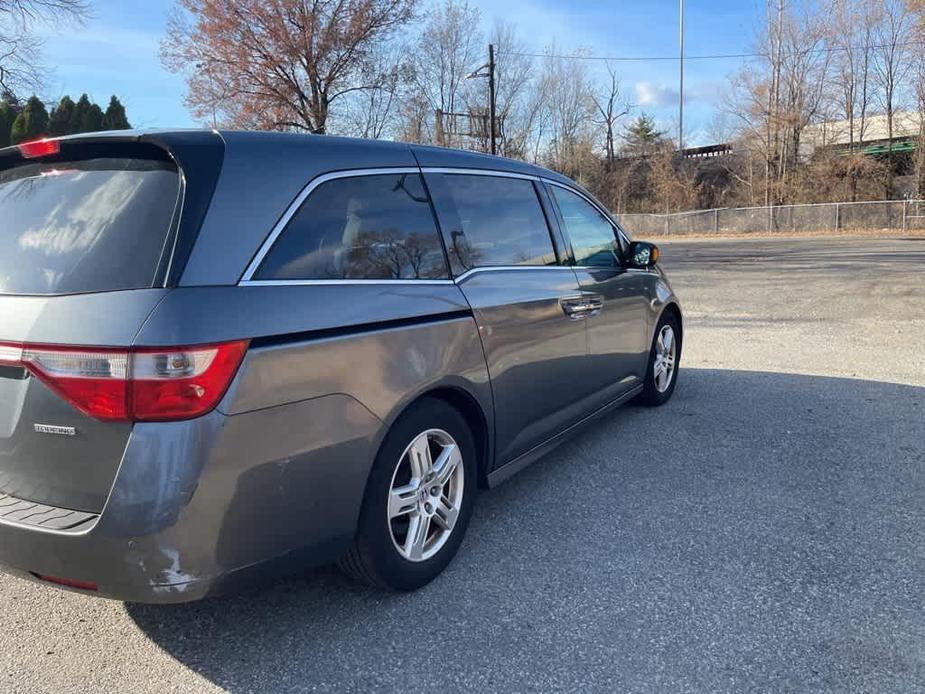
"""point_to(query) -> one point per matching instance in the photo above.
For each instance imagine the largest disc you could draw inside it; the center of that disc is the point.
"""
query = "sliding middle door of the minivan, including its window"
(502, 253)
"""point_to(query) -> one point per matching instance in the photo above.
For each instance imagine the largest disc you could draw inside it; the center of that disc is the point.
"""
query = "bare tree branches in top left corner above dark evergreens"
(20, 49)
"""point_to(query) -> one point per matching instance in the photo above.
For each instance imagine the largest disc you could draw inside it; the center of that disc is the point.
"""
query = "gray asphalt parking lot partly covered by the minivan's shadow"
(763, 531)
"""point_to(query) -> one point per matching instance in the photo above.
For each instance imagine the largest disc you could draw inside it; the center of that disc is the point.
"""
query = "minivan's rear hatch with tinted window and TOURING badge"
(88, 230)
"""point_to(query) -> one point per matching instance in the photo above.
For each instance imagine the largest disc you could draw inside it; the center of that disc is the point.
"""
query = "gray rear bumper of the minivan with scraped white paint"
(202, 506)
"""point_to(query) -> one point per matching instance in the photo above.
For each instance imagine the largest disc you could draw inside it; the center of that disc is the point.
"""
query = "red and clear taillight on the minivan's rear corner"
(139, 384)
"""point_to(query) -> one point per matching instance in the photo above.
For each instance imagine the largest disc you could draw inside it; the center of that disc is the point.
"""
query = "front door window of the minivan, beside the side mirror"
(593, 237)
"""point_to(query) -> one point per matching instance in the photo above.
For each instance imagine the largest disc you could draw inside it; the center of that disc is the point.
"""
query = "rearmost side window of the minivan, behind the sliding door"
(362, 227)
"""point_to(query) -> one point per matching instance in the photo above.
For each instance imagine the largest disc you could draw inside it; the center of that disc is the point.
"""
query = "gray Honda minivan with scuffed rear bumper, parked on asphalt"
(227, 354)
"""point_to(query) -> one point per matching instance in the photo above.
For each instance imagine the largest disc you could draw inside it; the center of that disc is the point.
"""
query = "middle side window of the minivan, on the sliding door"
(500, 222)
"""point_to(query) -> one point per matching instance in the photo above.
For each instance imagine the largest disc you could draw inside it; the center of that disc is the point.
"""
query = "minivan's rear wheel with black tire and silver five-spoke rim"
(416, 511)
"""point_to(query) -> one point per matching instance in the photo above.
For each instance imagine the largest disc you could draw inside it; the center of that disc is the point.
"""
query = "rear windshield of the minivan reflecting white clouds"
(84, 226)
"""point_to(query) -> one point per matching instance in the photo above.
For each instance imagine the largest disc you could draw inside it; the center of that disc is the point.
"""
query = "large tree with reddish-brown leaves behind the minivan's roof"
(278, 64)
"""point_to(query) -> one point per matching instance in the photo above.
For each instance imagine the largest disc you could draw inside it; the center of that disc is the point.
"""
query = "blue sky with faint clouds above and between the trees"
(117, 52)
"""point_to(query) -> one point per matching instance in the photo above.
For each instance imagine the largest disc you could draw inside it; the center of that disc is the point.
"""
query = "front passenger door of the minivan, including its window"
(618, 332)
